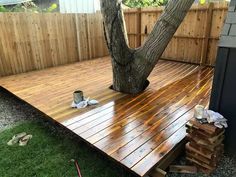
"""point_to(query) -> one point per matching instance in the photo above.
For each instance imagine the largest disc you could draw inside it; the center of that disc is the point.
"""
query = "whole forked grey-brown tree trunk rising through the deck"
(131, 67)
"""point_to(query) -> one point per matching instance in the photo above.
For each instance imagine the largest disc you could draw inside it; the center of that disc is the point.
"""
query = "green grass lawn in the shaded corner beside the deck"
(48, 154)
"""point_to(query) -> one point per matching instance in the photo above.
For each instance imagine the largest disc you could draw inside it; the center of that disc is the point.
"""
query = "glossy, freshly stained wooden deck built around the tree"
(137, 131)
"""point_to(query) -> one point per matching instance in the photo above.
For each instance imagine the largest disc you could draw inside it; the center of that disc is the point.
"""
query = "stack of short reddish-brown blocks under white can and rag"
(205, 146)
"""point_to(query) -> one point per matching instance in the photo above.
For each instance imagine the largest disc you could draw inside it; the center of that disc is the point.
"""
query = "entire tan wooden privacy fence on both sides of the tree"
(36, 41)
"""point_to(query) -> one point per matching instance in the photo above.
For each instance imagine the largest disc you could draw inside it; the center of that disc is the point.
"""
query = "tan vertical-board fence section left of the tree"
(31, 41)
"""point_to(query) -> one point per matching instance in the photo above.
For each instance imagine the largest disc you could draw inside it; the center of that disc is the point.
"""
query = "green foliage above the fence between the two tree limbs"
(144, 3)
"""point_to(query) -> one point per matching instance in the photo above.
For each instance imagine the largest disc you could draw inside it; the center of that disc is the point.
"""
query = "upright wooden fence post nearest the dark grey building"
(207, 34)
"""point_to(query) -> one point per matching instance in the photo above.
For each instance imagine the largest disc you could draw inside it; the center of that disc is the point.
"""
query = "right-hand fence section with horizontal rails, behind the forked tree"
(196, 39)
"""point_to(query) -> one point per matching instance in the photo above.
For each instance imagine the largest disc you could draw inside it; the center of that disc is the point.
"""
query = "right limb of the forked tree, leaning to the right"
(162, 33)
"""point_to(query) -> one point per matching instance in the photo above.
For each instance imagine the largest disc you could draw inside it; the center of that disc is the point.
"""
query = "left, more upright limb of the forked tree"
(115, 30)
